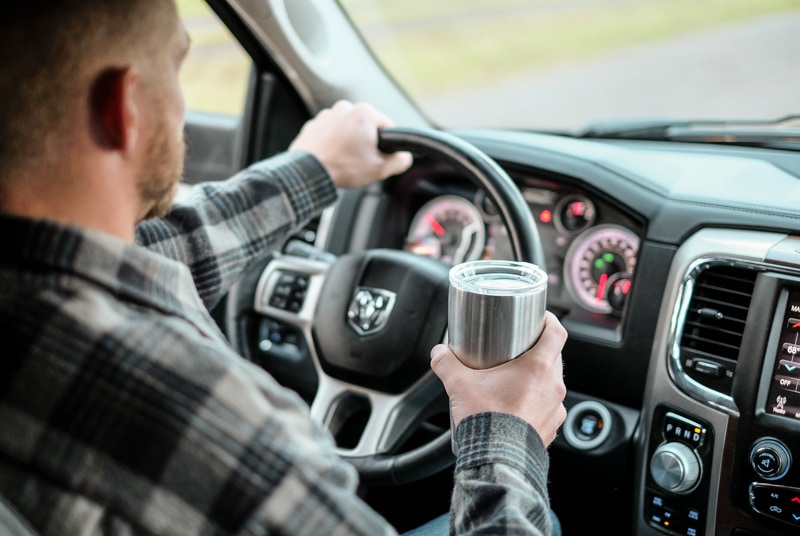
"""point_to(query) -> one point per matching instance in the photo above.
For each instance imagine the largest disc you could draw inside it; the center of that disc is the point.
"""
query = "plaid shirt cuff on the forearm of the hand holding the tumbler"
(500, 478)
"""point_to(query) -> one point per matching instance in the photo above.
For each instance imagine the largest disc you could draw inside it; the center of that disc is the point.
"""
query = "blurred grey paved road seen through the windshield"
(741, 70)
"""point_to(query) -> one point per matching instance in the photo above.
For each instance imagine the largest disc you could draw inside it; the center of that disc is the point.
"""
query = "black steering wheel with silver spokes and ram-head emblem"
(331, 289)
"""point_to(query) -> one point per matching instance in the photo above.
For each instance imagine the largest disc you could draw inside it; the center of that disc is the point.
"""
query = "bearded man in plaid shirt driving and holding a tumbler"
(123, 409)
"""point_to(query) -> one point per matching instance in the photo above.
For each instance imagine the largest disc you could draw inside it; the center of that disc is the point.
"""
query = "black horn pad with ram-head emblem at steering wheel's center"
(394, 355)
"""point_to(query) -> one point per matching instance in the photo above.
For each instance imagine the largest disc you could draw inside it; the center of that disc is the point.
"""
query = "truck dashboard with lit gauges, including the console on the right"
(676, 270)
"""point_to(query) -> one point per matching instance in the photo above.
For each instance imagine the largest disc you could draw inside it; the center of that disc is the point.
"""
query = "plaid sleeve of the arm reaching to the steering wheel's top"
(220, 228)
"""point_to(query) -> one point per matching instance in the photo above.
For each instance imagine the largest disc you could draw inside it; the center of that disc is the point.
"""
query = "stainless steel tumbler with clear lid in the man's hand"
(496, 310)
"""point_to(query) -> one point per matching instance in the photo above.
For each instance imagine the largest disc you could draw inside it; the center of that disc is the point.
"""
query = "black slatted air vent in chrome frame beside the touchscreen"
(714, 324)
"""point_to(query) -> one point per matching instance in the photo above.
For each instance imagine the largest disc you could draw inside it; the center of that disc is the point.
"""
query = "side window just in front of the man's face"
(215, 79)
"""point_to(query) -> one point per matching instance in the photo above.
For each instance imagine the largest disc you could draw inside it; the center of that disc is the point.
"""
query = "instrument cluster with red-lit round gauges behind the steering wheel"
(590, 246)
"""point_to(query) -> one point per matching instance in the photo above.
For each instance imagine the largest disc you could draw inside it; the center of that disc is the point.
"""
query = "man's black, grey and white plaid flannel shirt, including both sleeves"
(123, 410)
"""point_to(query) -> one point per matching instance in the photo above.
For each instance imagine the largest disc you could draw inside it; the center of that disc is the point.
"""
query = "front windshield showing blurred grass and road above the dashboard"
(566, 64)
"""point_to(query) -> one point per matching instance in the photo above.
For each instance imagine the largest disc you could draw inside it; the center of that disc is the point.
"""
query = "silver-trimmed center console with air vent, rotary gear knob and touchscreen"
(718, 451)
